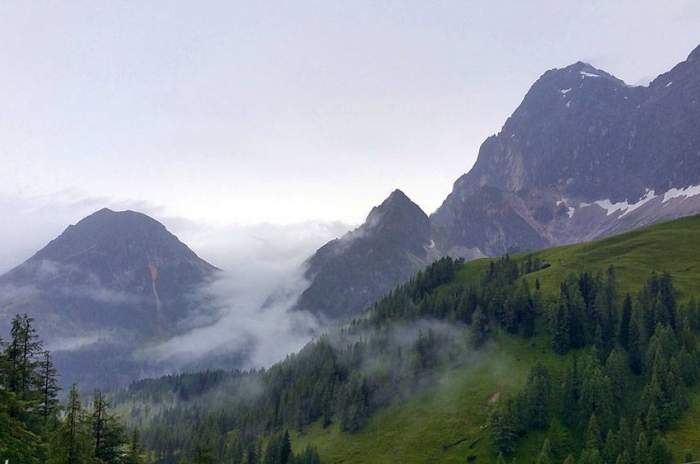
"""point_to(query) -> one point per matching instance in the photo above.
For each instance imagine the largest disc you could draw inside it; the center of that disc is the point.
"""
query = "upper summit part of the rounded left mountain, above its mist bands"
(114, 249)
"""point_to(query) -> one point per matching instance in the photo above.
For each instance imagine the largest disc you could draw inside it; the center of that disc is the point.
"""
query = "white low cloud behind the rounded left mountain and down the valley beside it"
(262, 276)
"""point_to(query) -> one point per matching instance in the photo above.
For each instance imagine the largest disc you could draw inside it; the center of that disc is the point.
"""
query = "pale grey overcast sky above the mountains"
(282, 112)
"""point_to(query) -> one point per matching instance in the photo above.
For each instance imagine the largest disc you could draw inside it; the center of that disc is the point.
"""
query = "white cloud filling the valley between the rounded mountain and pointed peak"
(263, 267)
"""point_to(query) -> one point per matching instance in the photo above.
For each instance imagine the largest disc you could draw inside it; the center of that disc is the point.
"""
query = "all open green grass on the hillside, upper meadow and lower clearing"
(415, 431)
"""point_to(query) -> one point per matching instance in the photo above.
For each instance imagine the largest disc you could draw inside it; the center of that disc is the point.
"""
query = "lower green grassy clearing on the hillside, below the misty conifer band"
(455, 409)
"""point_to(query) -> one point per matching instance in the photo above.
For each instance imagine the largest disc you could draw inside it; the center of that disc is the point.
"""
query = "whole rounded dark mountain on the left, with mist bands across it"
(107, 285)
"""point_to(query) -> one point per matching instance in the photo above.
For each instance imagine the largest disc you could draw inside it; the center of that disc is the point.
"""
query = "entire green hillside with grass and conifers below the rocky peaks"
(586, 351)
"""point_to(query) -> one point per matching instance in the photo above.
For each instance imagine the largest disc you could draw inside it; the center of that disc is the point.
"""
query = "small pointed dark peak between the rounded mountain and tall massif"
(356, 269)
